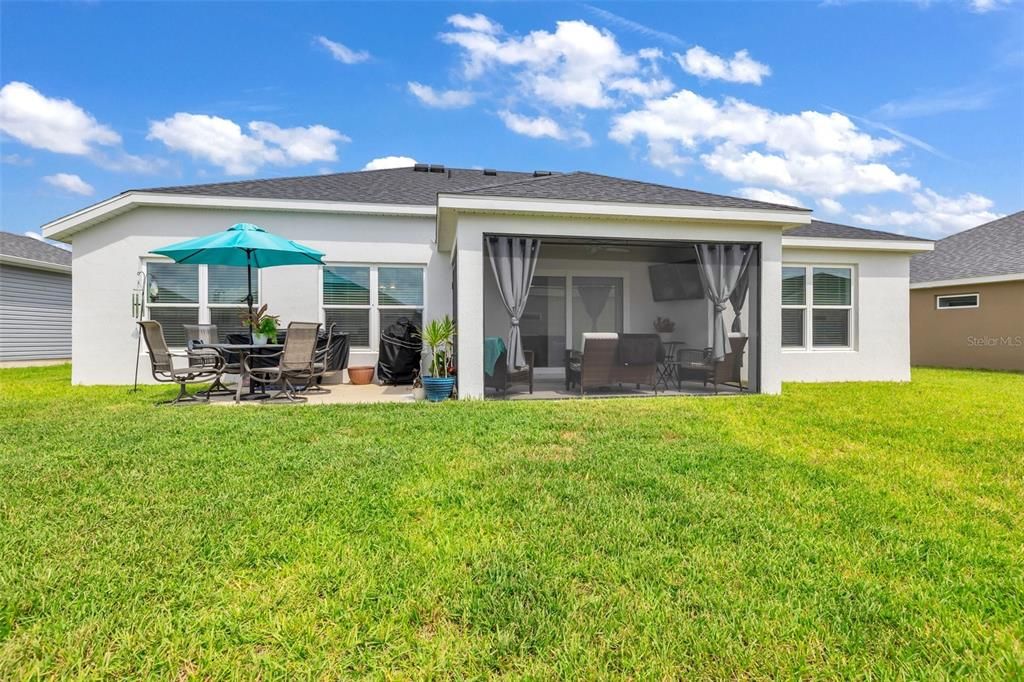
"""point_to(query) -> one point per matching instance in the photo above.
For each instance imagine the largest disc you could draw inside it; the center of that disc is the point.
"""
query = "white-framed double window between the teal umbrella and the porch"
(364, 301)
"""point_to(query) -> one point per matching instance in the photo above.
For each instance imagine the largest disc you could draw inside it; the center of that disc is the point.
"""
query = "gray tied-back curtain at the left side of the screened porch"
(514, 261)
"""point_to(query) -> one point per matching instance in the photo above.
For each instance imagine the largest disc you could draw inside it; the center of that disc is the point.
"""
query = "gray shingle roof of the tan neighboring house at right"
(993, 249)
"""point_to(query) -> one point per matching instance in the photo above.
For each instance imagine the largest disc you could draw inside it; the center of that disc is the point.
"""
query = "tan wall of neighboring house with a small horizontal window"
(991, 336)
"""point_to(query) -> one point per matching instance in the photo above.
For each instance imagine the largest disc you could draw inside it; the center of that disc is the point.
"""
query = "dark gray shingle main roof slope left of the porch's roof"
(394, 186)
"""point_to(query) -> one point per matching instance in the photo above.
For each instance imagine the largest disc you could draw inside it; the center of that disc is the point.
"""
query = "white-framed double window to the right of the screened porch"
(818, 307)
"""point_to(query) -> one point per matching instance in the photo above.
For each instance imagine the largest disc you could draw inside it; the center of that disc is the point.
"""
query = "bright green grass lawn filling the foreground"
(837, 531)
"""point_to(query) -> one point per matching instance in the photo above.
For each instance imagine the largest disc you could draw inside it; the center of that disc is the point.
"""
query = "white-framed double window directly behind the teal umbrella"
(180, 294)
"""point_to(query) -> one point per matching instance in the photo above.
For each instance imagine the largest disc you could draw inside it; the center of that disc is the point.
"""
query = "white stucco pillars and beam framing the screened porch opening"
(470, 245)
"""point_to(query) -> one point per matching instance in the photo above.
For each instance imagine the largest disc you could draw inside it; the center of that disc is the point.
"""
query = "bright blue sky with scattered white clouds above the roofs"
(902, 116)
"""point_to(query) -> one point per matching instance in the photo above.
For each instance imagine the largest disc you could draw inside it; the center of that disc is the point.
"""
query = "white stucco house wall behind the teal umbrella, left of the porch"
(108, 258)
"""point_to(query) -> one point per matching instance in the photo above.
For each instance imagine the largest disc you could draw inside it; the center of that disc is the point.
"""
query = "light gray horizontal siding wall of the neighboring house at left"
(35, 314)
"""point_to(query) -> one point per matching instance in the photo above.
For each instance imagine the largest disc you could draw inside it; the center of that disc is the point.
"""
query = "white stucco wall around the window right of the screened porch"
(881, 334)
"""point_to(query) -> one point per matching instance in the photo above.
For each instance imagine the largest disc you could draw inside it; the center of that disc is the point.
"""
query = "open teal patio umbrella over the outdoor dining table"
(240, 245)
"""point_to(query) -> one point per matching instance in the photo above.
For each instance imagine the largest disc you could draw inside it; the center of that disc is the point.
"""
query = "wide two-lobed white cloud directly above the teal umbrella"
(223, 142)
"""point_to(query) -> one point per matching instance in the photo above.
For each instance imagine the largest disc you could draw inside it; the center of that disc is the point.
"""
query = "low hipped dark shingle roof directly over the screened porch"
(594, 188)
